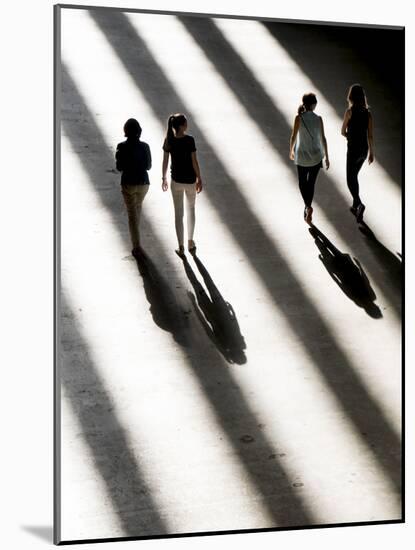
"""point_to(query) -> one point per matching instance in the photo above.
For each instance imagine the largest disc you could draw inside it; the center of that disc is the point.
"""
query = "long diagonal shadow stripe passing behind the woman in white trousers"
(370, 423)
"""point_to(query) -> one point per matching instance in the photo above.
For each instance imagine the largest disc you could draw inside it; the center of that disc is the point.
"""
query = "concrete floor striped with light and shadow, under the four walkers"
(258, 384)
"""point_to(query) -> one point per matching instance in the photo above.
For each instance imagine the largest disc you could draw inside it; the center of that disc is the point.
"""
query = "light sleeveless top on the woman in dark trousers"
(309, 149)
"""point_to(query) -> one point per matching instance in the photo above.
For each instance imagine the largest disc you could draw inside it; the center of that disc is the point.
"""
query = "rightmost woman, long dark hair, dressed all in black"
(358, 130)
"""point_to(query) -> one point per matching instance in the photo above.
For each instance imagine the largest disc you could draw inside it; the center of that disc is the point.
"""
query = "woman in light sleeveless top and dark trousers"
(308, 147)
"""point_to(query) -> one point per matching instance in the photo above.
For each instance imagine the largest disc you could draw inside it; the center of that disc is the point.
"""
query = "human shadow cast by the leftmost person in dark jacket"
(164, 307)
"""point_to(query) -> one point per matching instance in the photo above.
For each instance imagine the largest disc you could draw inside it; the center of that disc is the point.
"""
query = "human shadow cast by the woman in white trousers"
(216, 315)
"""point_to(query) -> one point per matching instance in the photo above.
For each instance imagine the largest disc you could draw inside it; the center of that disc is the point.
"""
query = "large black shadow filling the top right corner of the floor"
(334, 57)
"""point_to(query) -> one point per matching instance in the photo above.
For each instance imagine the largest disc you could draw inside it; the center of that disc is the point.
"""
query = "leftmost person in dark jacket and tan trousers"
(133, 160)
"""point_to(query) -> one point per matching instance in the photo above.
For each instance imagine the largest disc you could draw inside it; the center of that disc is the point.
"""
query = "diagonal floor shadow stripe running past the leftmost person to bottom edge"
(230, 406)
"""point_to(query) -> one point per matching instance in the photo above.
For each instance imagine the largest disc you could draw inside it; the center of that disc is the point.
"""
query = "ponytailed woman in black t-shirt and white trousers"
(185, 177)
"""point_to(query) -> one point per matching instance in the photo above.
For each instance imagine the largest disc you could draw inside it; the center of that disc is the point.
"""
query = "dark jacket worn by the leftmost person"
(133, 159)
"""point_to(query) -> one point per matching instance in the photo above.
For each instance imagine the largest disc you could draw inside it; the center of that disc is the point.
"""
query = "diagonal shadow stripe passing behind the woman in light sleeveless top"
(271, 122)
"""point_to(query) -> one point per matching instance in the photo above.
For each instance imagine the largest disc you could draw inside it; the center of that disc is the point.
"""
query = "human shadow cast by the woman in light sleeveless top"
(347, 273)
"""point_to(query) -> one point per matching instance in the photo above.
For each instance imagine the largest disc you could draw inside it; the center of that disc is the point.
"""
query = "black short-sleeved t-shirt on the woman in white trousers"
(181, 150)
